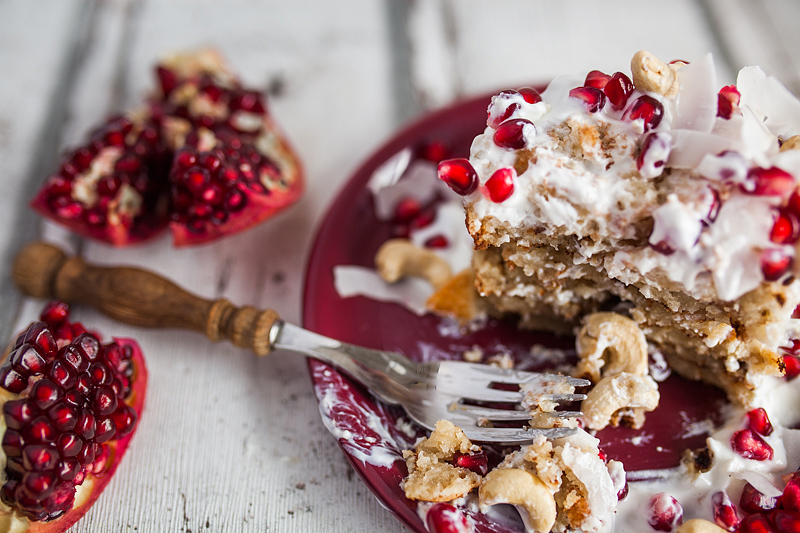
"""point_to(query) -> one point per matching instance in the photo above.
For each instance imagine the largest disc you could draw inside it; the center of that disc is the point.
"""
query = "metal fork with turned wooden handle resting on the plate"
(429, 392)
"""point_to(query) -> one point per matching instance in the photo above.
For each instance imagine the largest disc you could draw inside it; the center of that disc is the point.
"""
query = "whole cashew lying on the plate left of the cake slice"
(397, 258)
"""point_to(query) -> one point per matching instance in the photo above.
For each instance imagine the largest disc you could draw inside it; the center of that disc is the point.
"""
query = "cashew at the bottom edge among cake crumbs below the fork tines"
(525, 491)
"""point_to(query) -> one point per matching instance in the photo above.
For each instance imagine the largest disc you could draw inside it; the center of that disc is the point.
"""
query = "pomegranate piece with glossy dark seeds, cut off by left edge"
(70, 407)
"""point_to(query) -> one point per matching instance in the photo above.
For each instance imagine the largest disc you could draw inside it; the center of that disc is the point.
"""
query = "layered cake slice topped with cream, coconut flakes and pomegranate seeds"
(658, 196)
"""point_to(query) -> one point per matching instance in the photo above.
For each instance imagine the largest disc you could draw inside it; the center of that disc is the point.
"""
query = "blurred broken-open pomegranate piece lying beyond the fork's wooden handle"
(203, 156)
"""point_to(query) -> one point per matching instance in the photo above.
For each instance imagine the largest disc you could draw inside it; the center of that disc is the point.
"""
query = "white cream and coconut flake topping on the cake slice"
(581, 177)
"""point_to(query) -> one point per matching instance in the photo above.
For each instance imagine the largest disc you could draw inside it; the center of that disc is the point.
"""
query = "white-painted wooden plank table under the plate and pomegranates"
(229, 442)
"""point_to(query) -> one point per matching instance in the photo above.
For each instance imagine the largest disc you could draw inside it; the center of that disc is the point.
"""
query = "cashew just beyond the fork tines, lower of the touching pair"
(613, 393)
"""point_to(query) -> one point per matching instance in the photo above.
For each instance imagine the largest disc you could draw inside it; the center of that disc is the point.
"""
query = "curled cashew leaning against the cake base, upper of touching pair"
(610, 343)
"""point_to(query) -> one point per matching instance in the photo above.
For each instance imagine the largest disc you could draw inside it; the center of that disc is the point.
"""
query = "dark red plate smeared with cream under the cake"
(366, 429)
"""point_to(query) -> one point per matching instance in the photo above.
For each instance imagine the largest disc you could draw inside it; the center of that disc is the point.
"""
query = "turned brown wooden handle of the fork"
(139, 297)
